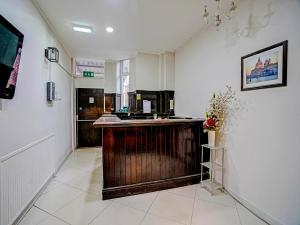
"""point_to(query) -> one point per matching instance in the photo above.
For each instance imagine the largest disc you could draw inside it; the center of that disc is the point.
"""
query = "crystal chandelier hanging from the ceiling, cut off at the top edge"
(218, 14)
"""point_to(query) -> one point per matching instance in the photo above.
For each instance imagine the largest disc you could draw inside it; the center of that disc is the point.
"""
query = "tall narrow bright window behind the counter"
(124, 81)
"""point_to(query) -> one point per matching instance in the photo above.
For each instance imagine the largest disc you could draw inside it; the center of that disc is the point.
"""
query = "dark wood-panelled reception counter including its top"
(142, 156)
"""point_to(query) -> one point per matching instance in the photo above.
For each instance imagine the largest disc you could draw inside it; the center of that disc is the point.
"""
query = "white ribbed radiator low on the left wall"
(23, 173)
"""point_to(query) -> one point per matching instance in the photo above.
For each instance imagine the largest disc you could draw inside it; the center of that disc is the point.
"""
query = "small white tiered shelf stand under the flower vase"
(212, 185)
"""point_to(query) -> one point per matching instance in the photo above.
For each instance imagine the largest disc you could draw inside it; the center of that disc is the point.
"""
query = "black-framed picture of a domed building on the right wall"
(265, 68)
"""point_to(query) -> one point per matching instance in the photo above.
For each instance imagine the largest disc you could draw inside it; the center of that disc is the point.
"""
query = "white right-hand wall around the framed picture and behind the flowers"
(263, 144)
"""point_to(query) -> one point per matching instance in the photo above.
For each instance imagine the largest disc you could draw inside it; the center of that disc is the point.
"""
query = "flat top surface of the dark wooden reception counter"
(108, 120)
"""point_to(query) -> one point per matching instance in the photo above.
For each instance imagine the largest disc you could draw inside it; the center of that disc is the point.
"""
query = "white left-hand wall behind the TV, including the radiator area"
(32, 130)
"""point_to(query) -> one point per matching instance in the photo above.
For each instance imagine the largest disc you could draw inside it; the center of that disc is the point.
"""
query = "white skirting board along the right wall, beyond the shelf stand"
(257, 212)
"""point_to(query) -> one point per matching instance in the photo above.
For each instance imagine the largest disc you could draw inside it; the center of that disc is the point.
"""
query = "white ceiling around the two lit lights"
(151, 26)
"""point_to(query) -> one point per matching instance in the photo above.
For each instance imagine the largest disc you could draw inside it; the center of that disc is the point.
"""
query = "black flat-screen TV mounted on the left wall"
(11, 41)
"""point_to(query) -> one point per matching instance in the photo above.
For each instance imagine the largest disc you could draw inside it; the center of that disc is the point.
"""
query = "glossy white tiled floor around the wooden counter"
(73, 197)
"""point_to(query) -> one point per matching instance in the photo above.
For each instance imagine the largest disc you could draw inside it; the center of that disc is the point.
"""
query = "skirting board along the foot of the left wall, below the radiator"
(38, 194)
